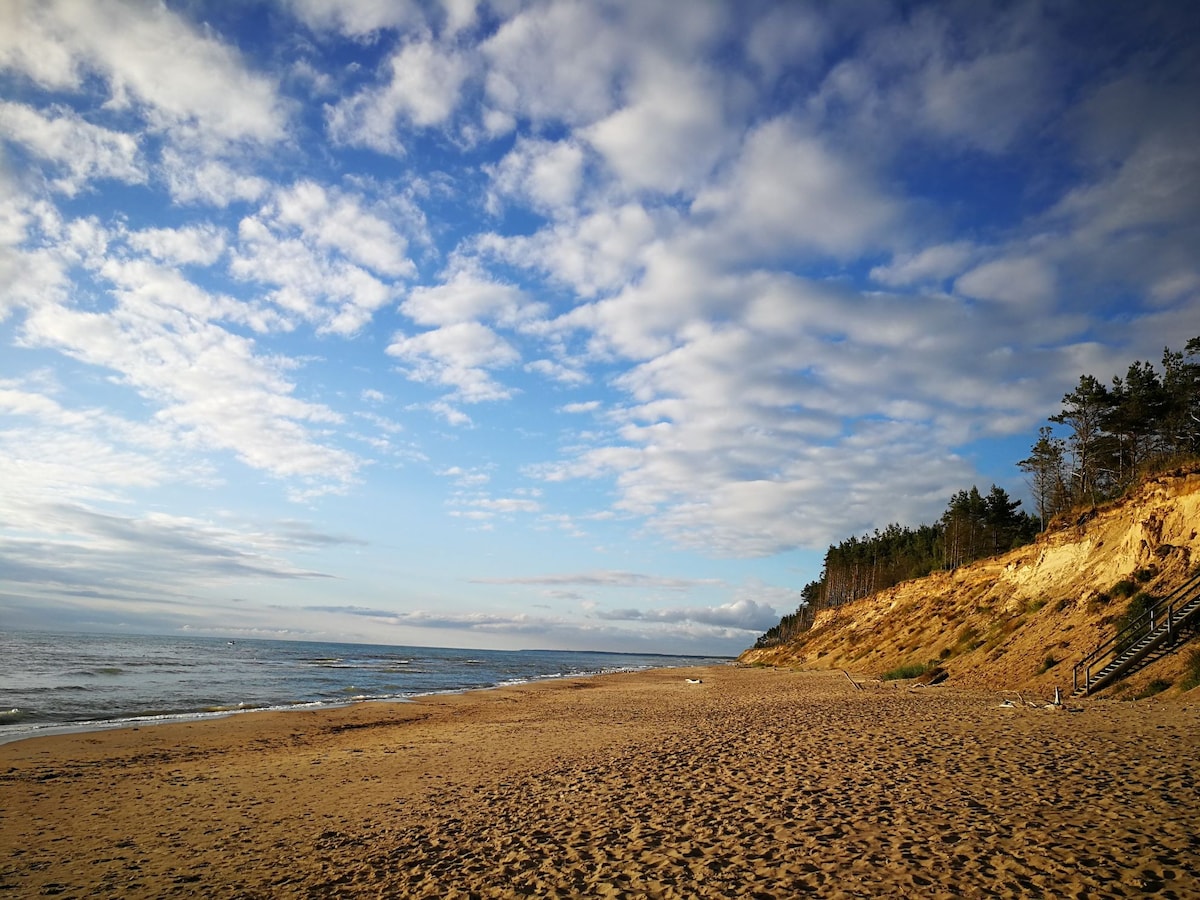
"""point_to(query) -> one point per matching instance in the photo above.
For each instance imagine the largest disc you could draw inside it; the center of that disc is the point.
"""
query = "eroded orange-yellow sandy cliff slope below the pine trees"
(1023, 620)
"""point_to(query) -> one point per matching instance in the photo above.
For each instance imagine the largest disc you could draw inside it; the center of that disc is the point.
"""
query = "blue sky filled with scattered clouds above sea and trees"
(554, 325)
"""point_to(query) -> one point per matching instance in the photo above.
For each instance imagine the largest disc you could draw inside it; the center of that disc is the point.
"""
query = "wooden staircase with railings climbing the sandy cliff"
(1142, 641)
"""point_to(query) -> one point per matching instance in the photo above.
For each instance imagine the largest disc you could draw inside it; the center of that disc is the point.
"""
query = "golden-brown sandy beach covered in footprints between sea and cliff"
(752, 784)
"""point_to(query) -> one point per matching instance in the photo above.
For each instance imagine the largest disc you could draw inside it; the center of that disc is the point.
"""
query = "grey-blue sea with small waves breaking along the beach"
(53, 683)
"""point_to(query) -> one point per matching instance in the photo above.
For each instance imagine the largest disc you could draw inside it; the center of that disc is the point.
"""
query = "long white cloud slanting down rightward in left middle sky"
(161, 337)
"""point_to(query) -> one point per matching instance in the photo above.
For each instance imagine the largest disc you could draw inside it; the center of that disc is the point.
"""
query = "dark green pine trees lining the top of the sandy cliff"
(1114, 437)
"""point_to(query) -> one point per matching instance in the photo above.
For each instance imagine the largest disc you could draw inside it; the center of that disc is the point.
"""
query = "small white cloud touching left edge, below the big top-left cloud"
(85, 151)
